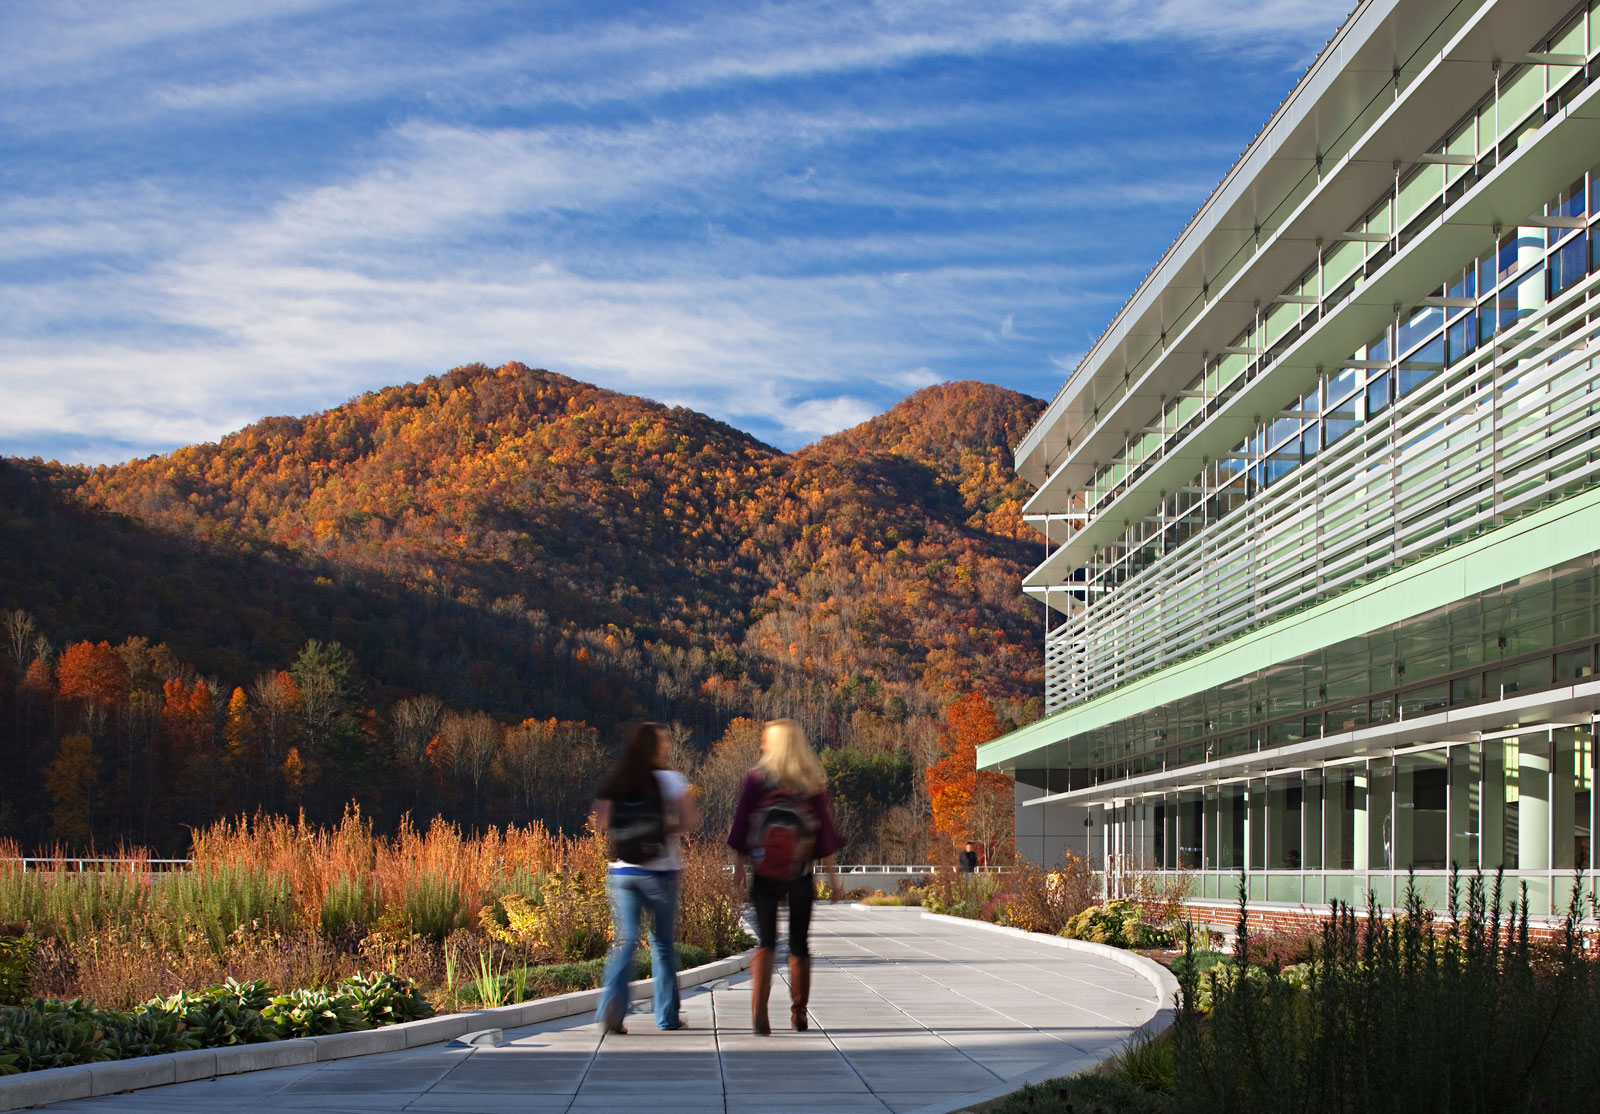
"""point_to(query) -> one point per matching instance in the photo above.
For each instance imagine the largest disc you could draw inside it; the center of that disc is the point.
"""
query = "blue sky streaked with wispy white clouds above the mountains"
(785, 215)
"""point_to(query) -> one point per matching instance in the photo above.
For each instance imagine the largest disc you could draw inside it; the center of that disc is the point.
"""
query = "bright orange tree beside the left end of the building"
(966, 801)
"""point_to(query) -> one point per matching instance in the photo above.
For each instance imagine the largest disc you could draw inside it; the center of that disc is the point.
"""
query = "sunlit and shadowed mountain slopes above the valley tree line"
(516, 542)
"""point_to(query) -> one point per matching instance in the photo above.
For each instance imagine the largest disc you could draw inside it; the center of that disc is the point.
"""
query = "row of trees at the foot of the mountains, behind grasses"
(126, 745)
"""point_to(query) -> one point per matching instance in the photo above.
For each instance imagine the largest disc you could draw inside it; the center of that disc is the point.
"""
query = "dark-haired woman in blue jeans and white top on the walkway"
(641, 811)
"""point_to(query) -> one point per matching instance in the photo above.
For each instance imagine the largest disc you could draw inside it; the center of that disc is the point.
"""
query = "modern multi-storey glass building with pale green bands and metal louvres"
(1322, 505)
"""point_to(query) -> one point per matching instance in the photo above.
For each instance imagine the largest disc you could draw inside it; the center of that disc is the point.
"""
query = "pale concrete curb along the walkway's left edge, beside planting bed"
(87, 1081)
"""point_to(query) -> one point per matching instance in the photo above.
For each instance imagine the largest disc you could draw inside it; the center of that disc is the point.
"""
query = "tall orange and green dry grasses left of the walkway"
(303, 907)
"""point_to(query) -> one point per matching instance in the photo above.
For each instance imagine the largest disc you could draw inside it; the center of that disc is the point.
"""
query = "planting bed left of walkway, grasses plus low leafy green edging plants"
(364, 931)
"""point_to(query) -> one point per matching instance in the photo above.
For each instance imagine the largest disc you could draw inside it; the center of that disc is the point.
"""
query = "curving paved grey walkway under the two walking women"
(906, 1014)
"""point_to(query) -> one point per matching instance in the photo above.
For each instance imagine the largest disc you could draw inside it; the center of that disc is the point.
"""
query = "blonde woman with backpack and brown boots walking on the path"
(782, 830)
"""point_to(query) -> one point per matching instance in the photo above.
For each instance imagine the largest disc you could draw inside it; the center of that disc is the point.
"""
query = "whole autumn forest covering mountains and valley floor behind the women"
(449, 598)
